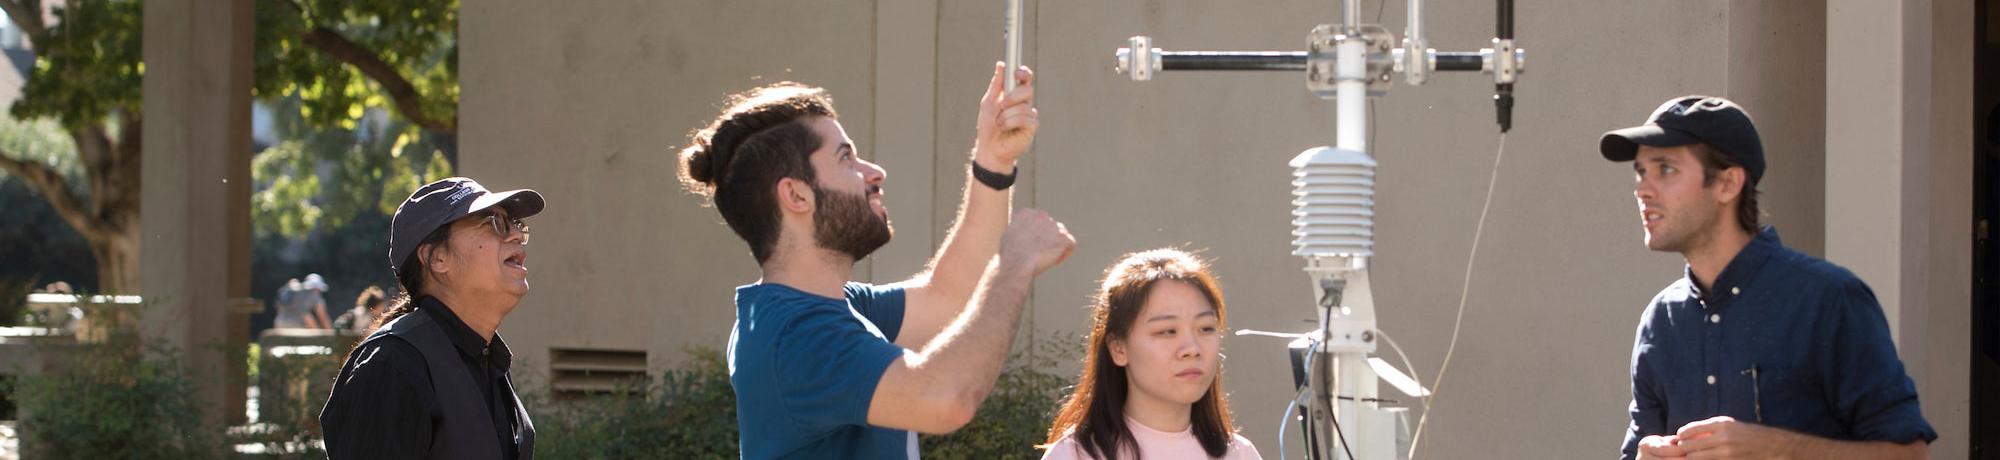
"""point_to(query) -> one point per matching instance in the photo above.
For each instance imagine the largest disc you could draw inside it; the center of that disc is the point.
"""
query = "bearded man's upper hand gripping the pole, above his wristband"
(1007, 121)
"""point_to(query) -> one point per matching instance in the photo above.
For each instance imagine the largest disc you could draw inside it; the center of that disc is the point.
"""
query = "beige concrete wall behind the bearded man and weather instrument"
(589, 105)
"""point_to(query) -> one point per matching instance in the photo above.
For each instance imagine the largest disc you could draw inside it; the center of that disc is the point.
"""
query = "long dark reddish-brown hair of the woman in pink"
(1095, 413)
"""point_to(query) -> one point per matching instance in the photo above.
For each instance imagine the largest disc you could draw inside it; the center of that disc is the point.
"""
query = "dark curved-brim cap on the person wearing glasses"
(445, 201)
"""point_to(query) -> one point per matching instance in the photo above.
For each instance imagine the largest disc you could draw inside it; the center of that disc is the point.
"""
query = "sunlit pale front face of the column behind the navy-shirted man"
(1875, 159)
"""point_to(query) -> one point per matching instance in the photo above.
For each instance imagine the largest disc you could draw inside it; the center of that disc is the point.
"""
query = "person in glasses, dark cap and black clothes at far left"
(433, 379)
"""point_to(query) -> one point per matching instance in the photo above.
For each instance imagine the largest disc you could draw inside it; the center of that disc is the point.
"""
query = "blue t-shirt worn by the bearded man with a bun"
(805, 369)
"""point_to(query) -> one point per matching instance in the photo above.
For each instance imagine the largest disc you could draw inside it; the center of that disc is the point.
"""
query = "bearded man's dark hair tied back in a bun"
(739, 159)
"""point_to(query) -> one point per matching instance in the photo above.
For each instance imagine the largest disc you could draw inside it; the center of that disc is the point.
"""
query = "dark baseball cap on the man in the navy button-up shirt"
(1685, 121)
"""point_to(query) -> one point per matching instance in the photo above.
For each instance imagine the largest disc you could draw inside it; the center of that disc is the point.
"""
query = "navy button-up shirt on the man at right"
(1785, 341)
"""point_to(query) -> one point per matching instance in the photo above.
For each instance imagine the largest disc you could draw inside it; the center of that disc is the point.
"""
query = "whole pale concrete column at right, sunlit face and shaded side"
(1899, 185)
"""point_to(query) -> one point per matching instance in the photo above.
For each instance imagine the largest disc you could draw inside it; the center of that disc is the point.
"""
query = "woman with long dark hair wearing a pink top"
(1153, 375)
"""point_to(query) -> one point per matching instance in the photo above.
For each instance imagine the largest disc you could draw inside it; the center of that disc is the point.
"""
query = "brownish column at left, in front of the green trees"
(197, 213)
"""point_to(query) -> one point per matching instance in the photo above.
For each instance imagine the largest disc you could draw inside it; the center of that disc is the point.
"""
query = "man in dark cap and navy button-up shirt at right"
(1757, 351)
